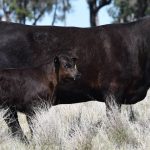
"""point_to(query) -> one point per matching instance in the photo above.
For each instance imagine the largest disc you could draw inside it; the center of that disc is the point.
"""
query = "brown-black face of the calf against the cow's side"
(67, 67)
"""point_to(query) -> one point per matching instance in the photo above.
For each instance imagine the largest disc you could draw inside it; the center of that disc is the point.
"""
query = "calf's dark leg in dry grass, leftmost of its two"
(11, 119)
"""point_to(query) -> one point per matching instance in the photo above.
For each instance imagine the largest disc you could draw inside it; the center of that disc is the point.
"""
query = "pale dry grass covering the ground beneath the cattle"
(82, 127)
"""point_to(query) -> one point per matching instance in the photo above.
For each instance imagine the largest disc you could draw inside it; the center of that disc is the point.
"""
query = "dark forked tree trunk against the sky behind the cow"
(94, 7)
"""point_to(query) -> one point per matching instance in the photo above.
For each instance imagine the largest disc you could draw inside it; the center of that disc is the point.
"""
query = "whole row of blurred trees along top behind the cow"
(22, 11)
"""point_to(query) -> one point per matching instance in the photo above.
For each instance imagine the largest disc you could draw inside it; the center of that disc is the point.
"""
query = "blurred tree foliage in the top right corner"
(129, 10)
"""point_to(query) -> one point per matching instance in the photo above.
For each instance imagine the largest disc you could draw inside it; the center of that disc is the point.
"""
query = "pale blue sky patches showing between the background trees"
(79, 16)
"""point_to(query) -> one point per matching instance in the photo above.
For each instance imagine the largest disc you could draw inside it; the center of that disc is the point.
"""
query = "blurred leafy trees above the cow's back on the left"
(33, 10)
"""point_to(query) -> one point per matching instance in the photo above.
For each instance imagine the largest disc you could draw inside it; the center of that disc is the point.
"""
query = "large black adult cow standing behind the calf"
(113, 59)
